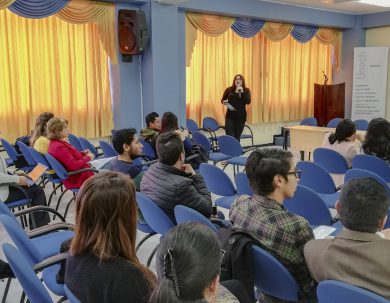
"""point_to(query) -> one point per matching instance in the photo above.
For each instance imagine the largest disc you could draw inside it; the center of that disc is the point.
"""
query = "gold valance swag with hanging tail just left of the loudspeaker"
(85, 11)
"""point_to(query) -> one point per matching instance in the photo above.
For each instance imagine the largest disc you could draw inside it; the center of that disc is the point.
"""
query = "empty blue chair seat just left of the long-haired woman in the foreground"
(48, 244)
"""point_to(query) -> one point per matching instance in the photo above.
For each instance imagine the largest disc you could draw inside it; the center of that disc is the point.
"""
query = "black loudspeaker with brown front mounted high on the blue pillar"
(133, 34)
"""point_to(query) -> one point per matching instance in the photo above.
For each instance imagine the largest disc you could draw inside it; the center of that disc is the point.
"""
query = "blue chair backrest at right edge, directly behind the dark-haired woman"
(373, 164)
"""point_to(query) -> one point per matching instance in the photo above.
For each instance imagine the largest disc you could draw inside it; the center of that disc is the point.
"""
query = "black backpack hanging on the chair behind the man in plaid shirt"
(236, 262)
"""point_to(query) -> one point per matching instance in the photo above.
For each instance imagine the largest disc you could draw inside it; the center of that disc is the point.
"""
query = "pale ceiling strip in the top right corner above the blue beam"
(345, 6)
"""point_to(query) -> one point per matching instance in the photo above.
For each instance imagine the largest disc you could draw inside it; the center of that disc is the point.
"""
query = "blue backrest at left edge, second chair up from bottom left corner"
(21, 240)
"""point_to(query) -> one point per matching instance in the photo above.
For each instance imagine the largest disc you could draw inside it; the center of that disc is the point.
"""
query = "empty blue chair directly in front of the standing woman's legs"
(230, 146)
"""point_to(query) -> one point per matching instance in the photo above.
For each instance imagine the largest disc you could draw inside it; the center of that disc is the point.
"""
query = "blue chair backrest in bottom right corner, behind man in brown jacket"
(330, 291)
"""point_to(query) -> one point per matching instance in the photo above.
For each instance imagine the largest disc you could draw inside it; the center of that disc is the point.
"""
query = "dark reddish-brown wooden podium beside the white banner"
(329, 102)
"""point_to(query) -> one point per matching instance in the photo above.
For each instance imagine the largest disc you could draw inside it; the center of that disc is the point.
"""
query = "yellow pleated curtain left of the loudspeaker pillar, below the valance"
(51, 65)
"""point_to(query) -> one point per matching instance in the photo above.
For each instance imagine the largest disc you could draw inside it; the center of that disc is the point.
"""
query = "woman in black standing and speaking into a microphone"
(236, 97)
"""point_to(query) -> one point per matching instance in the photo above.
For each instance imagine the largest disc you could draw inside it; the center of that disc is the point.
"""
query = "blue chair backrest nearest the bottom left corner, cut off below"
(32, 286)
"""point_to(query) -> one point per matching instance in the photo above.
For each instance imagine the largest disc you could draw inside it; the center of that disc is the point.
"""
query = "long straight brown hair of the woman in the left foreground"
(106, 220)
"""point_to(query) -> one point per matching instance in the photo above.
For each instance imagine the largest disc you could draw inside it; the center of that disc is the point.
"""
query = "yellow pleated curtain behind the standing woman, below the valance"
(280, 75)
